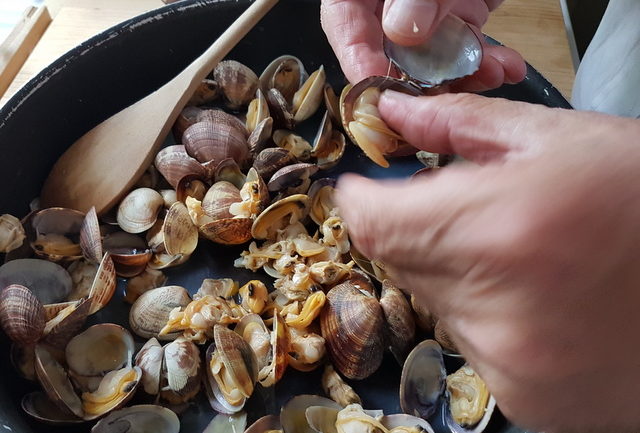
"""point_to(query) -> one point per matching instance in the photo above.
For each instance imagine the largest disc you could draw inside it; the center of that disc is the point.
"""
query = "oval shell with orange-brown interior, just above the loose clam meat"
(279, 215)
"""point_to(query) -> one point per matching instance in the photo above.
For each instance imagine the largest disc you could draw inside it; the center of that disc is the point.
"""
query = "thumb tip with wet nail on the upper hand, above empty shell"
(410, 19)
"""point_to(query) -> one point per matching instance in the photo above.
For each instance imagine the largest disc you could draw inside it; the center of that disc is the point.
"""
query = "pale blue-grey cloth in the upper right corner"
(608, 79)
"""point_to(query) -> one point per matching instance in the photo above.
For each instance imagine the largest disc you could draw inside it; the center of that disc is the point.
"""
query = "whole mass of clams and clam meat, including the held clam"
(239, 174)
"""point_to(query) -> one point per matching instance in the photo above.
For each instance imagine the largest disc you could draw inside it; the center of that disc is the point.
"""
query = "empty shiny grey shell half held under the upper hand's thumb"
(452, 52)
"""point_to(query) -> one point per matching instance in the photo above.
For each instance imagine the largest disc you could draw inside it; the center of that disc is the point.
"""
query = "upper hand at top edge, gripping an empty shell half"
(354, 30)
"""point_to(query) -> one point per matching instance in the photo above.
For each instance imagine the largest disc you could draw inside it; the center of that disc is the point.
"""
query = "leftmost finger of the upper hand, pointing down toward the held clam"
(355, 33)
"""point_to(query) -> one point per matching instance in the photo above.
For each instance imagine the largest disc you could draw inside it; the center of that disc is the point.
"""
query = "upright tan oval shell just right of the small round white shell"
(180, 235)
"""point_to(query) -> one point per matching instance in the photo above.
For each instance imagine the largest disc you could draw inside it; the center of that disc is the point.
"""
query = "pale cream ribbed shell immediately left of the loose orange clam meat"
(150, 313)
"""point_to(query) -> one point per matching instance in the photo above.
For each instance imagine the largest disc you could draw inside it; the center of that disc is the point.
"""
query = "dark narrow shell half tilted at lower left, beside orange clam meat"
(55, 382)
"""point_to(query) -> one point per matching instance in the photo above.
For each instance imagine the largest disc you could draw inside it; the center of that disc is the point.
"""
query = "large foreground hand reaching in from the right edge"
(529, 256)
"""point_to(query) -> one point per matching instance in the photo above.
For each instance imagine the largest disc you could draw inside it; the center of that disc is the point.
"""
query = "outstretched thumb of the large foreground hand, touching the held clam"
(477, 128)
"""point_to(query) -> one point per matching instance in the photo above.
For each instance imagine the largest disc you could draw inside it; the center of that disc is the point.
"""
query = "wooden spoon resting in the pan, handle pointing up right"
(103, 165)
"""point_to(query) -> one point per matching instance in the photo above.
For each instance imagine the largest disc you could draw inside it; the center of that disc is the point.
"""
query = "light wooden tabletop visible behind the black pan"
(534, 28)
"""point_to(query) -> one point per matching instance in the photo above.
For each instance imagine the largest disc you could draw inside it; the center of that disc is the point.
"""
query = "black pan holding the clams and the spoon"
(125, 63)
